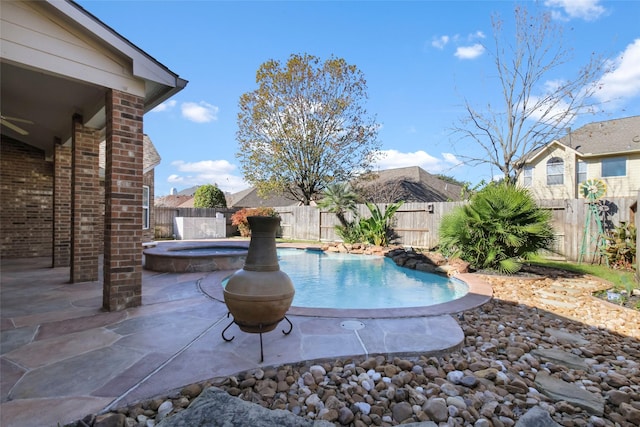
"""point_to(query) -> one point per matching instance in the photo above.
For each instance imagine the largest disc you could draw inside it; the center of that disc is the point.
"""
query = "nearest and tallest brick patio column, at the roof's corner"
(123, 202)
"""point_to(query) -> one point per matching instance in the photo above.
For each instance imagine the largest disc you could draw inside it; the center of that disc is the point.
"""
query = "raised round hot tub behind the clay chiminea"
(190, 257)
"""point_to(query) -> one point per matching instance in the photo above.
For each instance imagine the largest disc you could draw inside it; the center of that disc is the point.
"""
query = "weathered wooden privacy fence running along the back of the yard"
(416, 224)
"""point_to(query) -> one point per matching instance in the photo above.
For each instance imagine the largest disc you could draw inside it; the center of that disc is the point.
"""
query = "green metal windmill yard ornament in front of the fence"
(593, 190)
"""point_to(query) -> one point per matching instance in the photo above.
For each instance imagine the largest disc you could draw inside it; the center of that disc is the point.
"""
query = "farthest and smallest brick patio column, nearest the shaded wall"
(62, 165)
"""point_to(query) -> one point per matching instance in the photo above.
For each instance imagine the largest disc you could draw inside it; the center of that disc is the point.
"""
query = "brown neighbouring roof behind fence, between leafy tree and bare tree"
(411, 184)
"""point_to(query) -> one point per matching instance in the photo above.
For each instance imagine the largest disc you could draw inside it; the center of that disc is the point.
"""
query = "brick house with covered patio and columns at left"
(71, 85)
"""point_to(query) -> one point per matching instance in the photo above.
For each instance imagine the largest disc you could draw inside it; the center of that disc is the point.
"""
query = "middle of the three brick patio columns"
(85, 203)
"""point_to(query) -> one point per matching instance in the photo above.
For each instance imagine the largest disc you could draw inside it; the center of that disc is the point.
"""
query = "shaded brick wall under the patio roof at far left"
(26, 200)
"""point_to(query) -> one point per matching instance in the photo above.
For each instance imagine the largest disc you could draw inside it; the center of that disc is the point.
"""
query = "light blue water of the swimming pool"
(332, 280)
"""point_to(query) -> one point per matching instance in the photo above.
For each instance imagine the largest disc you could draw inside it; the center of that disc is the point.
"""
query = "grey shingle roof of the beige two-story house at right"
(600, 138)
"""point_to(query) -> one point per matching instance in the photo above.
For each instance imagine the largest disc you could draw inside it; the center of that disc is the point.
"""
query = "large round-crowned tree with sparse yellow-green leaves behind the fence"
(305, 126)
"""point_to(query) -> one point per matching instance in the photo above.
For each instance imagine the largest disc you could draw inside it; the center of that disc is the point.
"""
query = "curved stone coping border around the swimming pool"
(480, 292)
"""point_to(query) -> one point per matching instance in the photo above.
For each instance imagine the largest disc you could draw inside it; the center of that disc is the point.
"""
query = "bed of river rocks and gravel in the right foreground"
(543, 342)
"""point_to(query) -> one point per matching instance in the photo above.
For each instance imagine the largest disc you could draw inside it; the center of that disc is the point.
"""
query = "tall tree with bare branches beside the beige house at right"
(536, 107)
